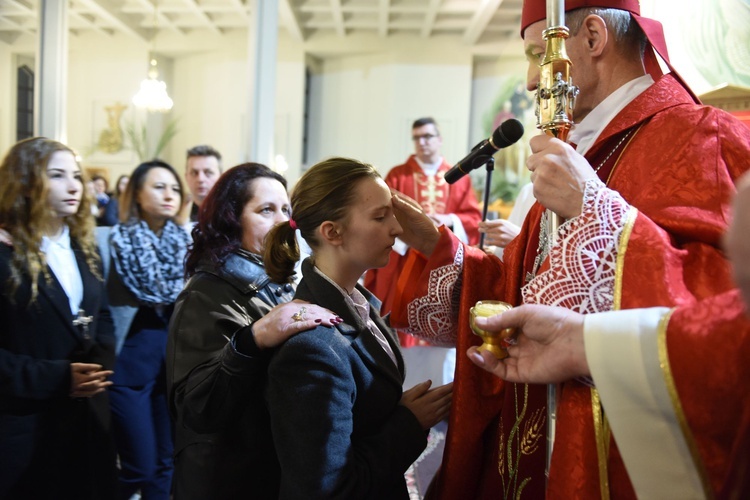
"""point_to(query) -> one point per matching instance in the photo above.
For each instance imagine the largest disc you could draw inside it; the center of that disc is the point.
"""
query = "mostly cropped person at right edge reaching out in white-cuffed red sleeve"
(674, 381)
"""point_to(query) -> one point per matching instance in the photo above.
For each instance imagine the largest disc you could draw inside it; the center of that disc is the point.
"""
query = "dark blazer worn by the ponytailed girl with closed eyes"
(333, 396)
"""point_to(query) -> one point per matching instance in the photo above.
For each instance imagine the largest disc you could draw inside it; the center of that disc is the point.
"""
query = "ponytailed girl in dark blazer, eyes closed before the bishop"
(342, 427)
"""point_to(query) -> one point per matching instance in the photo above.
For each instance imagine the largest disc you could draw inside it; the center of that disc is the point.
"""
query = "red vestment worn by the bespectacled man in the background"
(435, 196)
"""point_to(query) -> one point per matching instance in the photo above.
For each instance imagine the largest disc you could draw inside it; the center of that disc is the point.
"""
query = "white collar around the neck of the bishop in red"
(584, 134)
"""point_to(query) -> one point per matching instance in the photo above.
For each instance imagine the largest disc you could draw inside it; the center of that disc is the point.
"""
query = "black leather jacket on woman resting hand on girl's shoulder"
(223, 448)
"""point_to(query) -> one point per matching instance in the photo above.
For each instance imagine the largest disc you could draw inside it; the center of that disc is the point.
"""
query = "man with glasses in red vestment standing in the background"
(455, 206)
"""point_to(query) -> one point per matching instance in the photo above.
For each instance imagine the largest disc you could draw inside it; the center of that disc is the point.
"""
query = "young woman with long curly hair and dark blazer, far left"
(56, 342)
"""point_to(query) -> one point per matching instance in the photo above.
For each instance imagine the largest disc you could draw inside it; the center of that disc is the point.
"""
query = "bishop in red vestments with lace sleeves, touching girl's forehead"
(644, 199)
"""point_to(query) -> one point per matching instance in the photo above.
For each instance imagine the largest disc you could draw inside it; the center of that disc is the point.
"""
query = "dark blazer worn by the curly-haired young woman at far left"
(51, 445)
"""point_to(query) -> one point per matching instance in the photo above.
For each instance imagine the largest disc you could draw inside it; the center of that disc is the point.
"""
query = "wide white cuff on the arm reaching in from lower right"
(623, 355)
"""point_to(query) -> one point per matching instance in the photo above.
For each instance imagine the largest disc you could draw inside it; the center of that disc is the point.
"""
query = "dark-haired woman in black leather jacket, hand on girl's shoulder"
(223, 447)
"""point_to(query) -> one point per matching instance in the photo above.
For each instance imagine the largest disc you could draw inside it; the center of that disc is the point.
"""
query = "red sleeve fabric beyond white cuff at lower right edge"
(708, 344)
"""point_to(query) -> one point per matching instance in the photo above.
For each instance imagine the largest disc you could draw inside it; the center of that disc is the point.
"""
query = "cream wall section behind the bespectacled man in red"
(363, 106)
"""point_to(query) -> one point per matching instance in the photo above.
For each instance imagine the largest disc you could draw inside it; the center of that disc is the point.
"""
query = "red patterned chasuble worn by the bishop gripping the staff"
(678, 171)
